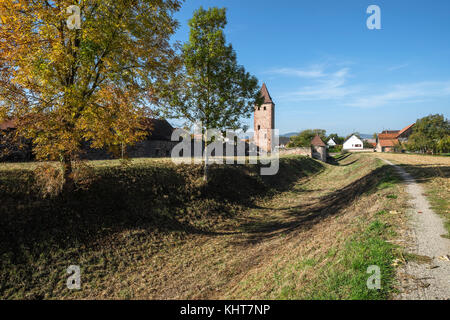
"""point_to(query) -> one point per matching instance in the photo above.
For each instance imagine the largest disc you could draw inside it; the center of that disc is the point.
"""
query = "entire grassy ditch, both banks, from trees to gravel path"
(154, 230)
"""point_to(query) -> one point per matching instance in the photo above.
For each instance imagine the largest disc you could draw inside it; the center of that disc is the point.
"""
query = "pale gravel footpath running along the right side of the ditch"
(430, 278)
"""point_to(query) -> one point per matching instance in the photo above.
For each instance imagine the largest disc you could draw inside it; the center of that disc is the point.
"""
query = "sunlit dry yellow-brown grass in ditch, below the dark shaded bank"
(286, 246)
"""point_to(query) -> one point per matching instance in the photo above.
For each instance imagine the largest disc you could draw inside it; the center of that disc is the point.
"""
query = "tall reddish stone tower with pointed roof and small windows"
(264, 122)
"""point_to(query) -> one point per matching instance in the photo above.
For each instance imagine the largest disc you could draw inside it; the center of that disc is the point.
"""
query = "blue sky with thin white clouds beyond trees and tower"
(325, 69)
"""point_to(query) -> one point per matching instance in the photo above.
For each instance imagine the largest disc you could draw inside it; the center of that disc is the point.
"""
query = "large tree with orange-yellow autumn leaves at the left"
(64, 85)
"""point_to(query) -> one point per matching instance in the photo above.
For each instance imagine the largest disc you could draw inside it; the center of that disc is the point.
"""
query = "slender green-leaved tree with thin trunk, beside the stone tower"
(214, 90)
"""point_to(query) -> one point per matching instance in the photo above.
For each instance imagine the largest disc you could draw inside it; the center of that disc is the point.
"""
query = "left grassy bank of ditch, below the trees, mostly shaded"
(128, 214)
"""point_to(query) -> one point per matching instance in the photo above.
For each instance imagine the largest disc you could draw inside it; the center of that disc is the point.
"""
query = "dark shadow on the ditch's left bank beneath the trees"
(149, 198)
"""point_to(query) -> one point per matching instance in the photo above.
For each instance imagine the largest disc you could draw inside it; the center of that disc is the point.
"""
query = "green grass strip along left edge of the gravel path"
(345, 277)
